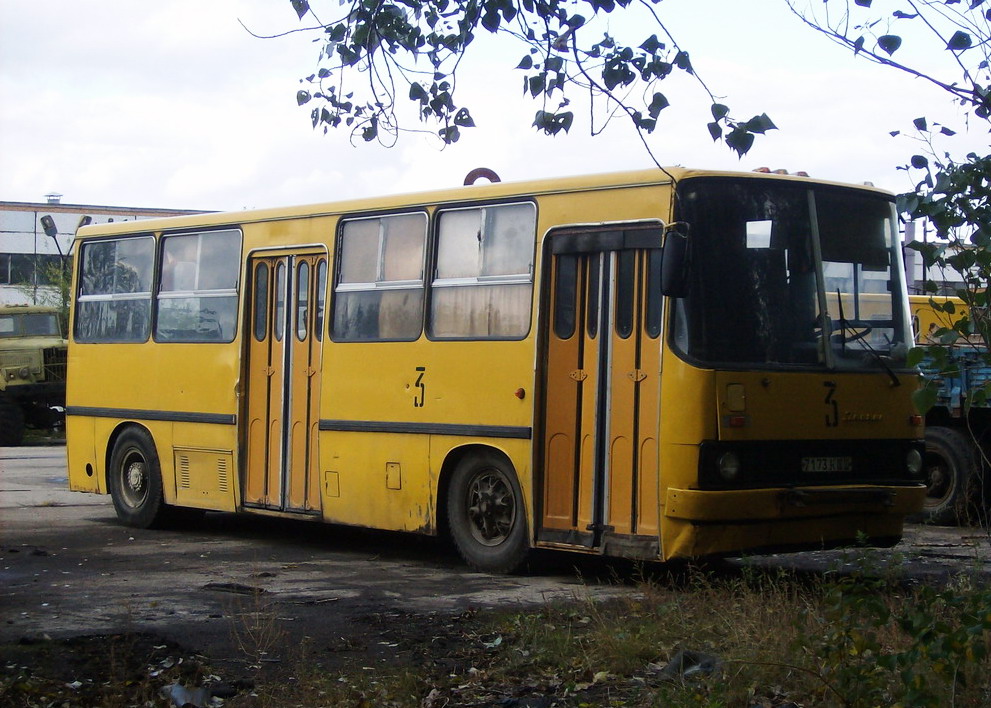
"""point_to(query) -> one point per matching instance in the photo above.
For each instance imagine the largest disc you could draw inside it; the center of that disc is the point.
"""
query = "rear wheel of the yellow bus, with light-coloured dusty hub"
(135, 480)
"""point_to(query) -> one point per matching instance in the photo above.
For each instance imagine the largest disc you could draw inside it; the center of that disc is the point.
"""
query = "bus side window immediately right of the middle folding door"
(379, 292)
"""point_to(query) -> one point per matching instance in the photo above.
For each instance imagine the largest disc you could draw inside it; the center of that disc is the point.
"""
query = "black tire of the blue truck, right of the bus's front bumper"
(950, 465)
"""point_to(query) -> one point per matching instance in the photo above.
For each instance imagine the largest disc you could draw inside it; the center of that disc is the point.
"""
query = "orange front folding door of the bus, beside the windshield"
(599, 481)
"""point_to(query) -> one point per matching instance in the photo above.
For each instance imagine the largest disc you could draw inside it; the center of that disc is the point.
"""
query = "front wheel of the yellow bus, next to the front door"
(486, 515)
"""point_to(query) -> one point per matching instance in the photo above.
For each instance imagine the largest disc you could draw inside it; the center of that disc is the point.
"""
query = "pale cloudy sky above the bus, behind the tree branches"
(175, 105)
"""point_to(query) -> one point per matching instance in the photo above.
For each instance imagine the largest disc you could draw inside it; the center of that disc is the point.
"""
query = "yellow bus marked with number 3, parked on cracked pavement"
(654, 364)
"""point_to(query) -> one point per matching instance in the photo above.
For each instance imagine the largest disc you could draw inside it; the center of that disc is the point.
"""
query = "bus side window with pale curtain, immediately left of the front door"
(484, 275)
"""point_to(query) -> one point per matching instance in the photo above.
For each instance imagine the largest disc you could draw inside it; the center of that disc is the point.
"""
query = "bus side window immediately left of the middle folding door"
(197, 297)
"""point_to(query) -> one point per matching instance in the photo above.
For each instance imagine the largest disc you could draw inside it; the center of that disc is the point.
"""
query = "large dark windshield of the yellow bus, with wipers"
(784, 274)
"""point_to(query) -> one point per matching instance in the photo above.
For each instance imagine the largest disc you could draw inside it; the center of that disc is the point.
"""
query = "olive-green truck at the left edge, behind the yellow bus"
(32, 370)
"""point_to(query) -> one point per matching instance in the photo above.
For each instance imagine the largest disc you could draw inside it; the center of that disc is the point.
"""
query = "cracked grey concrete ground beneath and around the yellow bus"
(68, 567)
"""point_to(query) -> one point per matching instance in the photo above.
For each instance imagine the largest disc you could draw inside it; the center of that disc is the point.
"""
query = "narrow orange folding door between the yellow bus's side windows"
(288, 291)
